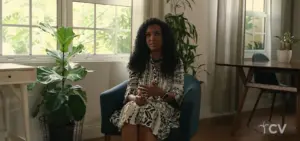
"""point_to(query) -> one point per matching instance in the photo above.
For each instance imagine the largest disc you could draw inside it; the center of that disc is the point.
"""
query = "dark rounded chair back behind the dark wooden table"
(259, 75)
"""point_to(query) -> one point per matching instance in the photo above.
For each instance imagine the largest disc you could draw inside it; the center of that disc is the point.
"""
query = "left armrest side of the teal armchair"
(110, 101)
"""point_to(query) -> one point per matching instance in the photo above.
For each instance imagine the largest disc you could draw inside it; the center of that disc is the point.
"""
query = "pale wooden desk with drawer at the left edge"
(16, 77)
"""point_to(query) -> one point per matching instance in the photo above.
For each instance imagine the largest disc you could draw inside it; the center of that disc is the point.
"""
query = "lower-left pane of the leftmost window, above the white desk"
(15, 40)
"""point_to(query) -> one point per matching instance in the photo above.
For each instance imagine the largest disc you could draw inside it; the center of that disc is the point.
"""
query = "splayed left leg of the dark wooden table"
(236, 123)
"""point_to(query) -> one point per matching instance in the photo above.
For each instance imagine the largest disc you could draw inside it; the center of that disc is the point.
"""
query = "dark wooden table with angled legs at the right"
(273, 66)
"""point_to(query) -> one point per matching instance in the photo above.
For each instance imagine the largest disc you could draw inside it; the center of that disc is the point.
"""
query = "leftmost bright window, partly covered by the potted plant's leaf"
(18, 27)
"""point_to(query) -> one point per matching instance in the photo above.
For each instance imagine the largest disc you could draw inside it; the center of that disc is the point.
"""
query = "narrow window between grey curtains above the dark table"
(256, 27)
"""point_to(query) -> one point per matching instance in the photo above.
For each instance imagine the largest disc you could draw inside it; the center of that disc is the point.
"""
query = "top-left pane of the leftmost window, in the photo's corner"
(15, 12)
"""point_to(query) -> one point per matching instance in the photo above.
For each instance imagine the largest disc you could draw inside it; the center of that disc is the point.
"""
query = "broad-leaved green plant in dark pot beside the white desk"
(62, 104)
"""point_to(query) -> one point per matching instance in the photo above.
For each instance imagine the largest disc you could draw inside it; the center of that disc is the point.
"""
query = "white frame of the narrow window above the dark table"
(267, 43)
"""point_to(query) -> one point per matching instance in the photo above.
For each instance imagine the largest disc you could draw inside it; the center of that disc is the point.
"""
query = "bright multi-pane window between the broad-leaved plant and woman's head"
(103, 28)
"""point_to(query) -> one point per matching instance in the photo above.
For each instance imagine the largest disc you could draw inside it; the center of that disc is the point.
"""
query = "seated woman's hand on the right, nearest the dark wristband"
(151, 90)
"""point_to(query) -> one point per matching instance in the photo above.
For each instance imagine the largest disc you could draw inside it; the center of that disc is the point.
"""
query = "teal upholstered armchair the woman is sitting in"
(112, 100)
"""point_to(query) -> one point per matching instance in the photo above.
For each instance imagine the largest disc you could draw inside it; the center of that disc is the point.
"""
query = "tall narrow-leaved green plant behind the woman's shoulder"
(185, 33)
